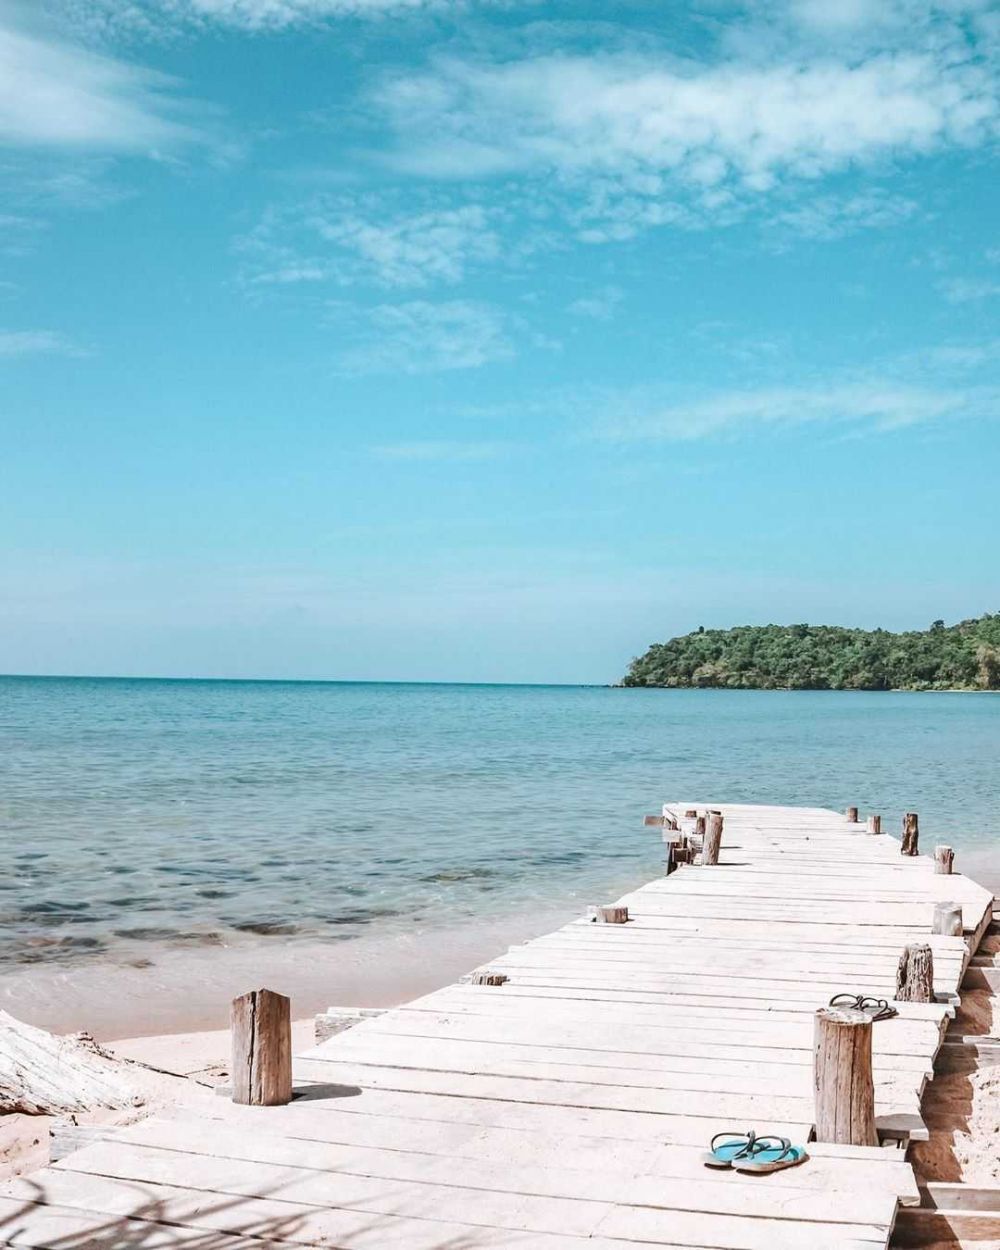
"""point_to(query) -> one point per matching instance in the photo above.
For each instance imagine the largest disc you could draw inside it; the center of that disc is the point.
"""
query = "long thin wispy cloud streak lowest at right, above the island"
(881, 406)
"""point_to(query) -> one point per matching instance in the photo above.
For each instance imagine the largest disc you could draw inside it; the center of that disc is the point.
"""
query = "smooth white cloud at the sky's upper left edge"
(58, 97)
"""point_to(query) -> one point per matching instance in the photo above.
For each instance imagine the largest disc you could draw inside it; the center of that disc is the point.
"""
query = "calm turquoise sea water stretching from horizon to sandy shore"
(141, 816)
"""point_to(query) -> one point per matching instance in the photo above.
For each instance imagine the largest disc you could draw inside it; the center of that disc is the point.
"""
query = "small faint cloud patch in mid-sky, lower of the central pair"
(422, 337)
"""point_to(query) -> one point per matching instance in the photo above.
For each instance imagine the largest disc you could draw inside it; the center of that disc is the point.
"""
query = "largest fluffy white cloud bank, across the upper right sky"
(708, 127)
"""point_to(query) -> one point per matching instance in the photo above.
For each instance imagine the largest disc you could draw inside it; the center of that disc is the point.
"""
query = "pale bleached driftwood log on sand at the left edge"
(42, 1074)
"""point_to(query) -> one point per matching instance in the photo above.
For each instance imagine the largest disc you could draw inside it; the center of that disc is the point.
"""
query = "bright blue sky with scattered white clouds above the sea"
(487, 341)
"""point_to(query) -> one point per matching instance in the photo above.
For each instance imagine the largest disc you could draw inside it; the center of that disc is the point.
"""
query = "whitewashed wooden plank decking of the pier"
(568, 1108)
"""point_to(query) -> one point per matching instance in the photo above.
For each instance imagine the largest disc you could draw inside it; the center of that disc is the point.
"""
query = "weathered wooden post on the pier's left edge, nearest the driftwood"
(262, 1049)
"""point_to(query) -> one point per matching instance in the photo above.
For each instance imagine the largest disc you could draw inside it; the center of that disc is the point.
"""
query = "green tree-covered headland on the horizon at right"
(964, 657)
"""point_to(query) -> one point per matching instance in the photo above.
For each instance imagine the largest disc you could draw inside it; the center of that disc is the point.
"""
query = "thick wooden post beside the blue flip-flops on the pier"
(843, 1081)
